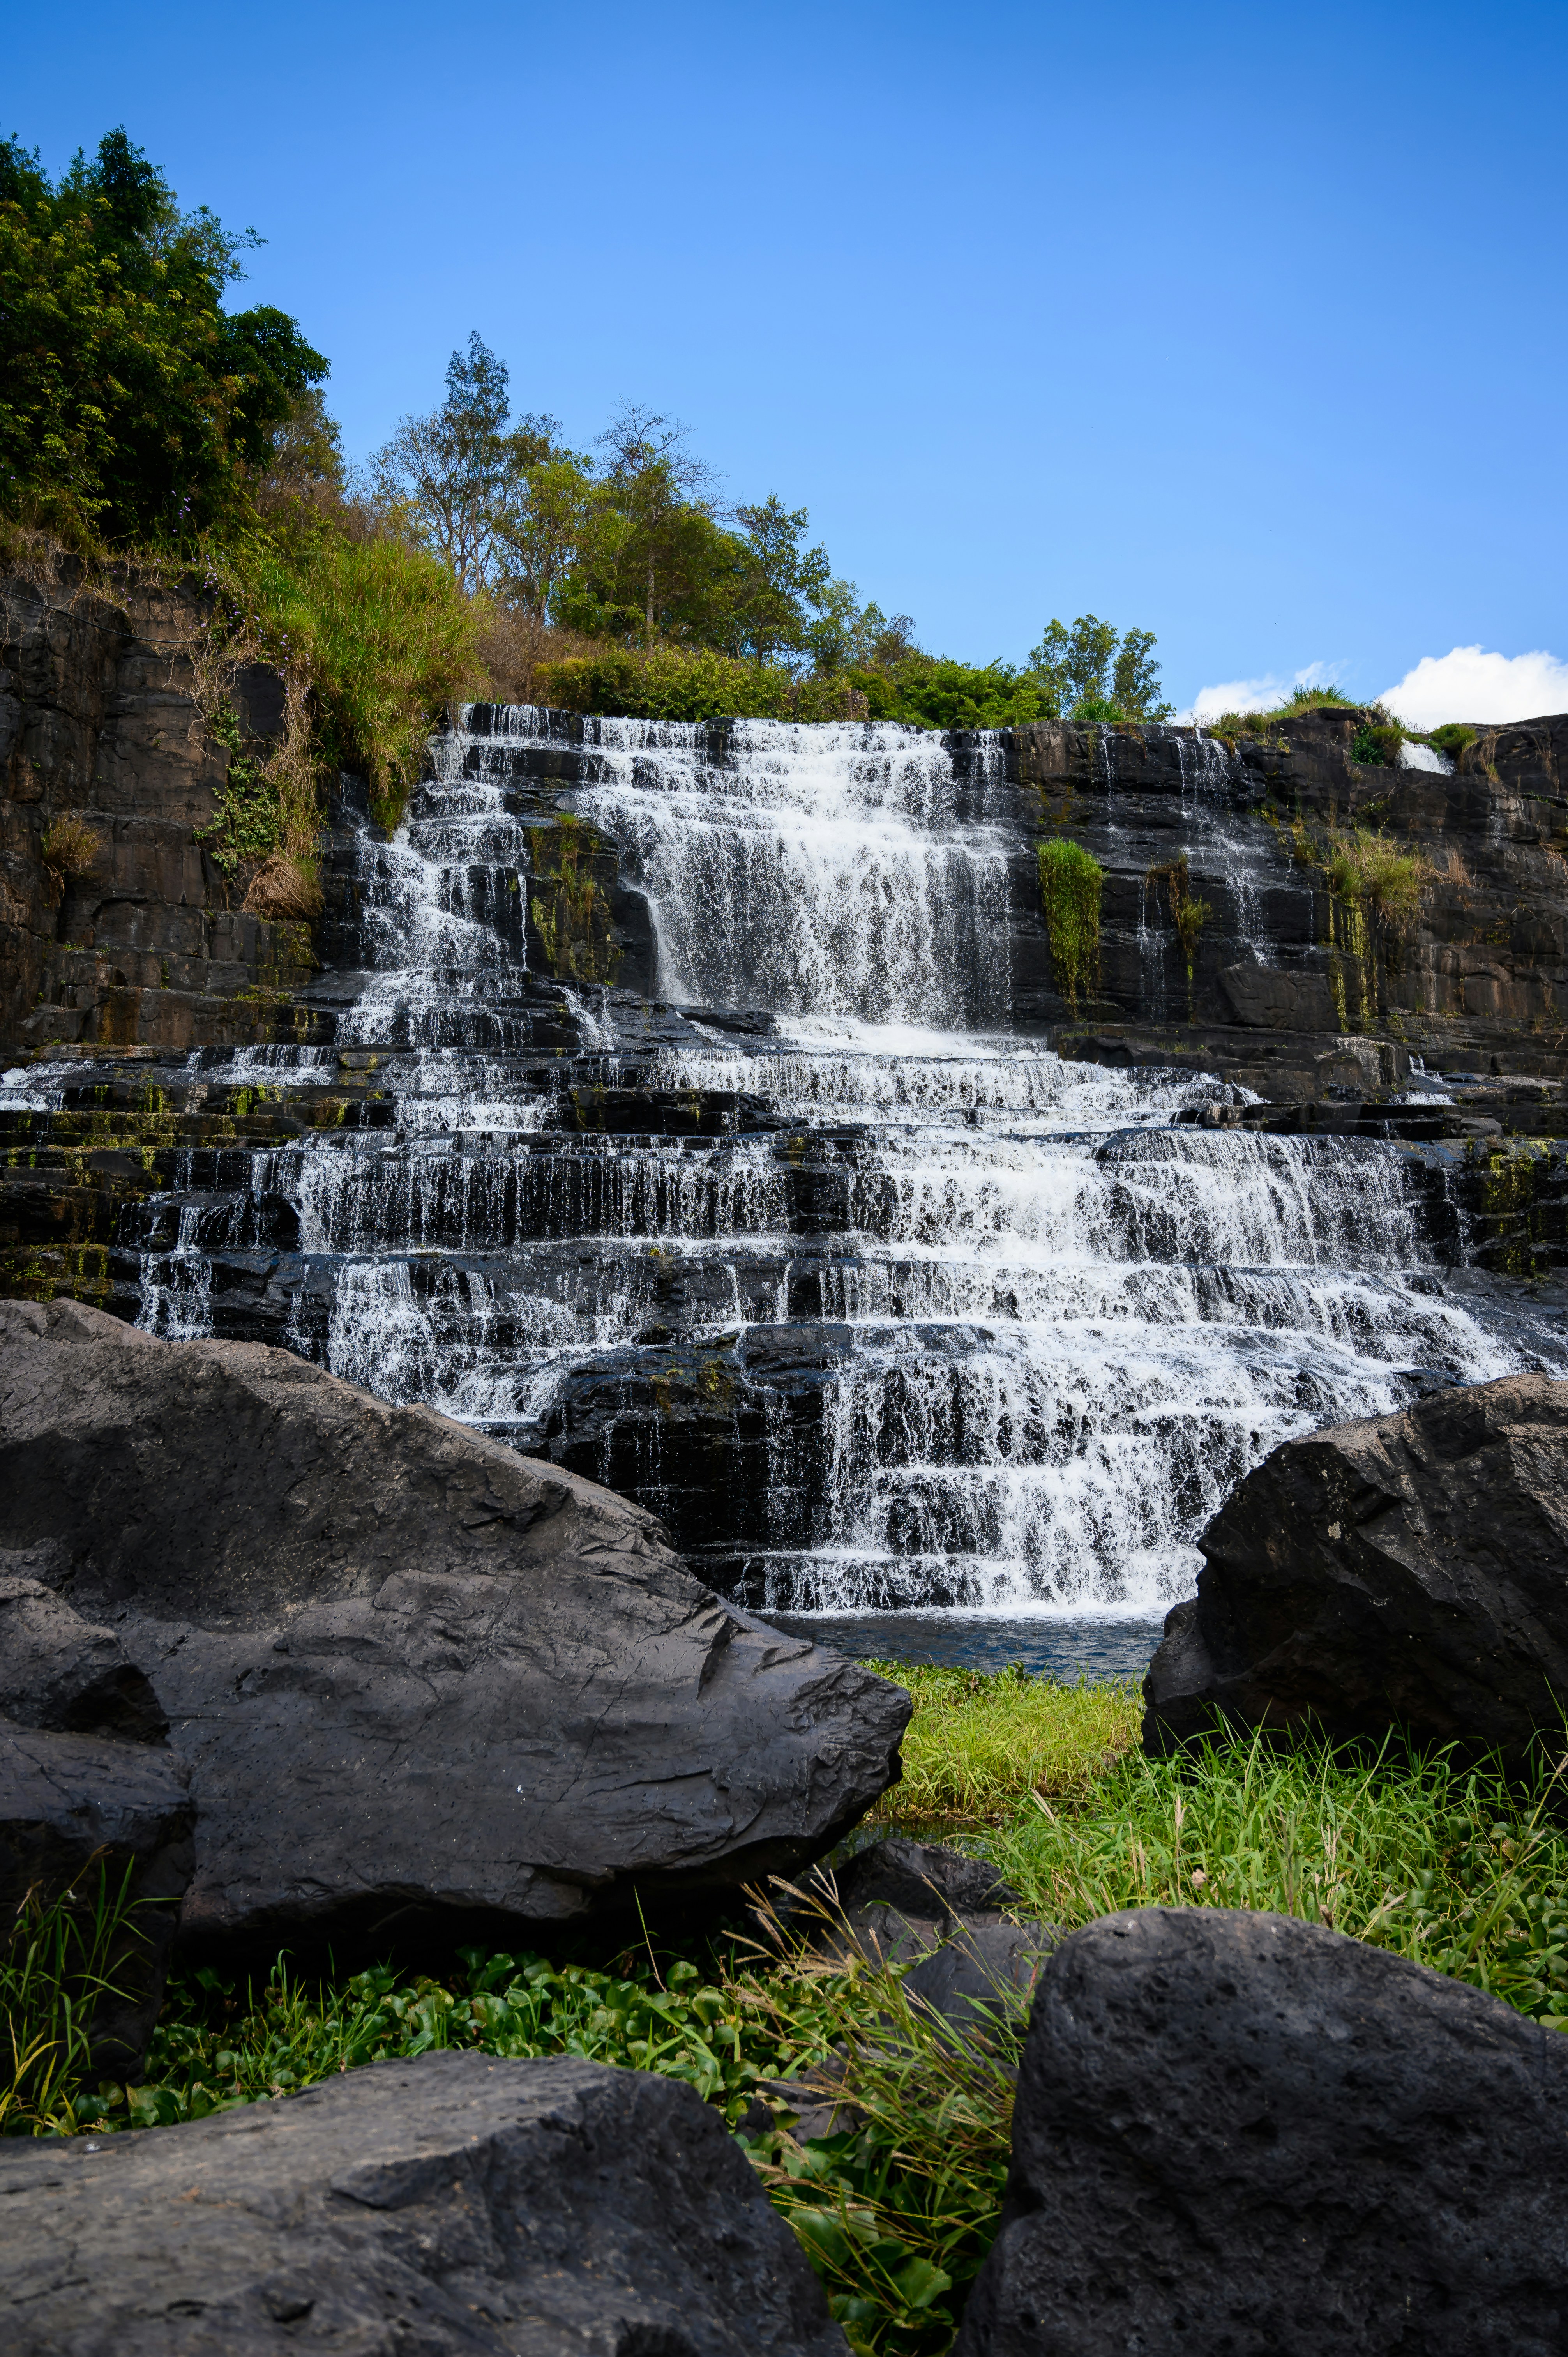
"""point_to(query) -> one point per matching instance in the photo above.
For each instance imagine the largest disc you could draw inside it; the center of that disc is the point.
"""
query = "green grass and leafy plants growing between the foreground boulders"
(1454, 1868)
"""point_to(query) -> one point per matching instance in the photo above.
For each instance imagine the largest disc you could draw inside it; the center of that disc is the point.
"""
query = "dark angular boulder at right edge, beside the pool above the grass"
(1404, 1571)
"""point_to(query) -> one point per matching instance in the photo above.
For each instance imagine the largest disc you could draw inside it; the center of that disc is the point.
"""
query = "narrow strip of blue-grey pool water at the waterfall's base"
(1062, 1646)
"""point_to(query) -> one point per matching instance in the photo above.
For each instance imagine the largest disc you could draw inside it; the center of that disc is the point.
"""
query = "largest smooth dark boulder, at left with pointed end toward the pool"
(409, 1668)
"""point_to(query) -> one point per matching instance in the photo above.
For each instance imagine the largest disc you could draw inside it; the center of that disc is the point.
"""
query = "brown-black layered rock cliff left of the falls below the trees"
(150, 946)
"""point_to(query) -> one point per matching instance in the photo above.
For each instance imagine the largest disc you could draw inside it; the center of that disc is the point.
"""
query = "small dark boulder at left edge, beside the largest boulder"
(91, 1823)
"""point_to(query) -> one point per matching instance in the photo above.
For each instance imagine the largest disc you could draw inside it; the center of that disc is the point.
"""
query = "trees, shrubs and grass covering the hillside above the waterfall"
(480, 555)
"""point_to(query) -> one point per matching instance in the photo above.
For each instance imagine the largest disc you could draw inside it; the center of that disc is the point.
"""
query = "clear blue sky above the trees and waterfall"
(1241, 324)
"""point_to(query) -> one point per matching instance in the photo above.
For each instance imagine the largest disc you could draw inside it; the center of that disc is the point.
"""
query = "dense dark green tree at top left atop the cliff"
(133, 407)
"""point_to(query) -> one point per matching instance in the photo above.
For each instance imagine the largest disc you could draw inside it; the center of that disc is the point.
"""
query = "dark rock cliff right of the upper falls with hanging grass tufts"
(1291, 984)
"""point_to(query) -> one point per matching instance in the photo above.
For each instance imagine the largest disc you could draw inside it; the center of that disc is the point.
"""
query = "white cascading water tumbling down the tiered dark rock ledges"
(878, 1302)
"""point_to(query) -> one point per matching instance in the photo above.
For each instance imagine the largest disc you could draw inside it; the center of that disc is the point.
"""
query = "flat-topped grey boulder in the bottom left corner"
(449, 2205)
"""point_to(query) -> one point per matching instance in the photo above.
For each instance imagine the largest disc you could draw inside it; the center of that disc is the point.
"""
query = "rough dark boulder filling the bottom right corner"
(1241, 2134)
